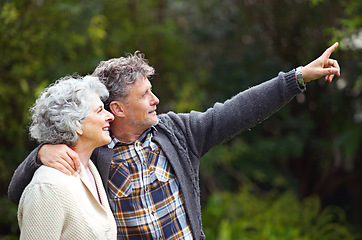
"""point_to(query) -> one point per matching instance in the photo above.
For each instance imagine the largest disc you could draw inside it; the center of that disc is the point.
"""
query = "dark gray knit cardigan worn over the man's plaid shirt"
(185, 138)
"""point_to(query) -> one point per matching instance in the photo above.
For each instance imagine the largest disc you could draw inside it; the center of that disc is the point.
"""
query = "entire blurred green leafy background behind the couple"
(297, 175)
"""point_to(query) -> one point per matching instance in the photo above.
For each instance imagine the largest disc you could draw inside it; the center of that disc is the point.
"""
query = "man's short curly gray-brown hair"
(119, 73)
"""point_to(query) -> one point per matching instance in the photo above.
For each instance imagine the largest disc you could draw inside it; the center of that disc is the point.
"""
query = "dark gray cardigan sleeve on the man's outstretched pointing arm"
(205, 130)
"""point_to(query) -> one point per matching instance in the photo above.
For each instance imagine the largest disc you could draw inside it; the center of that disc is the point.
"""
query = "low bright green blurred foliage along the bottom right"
(271, 215)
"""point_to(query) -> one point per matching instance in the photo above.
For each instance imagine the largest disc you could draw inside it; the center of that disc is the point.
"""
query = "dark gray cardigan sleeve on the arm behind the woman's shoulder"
(22, 176)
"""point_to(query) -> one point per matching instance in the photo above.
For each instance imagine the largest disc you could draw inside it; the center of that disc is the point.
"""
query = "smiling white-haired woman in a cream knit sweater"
(55, 205)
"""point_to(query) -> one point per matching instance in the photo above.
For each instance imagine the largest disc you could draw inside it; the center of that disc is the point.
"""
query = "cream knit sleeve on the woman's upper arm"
(40, 213)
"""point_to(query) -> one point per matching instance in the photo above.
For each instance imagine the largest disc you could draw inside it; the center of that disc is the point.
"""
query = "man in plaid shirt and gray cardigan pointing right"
(150, 169)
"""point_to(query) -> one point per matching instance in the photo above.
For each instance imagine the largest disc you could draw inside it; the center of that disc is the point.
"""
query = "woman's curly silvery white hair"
(62, 107)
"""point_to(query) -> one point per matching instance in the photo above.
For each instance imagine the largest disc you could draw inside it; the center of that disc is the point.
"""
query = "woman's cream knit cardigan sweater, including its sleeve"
(57, 206)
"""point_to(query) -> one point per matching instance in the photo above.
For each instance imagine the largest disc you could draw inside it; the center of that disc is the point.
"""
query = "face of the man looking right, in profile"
(140, 105)
